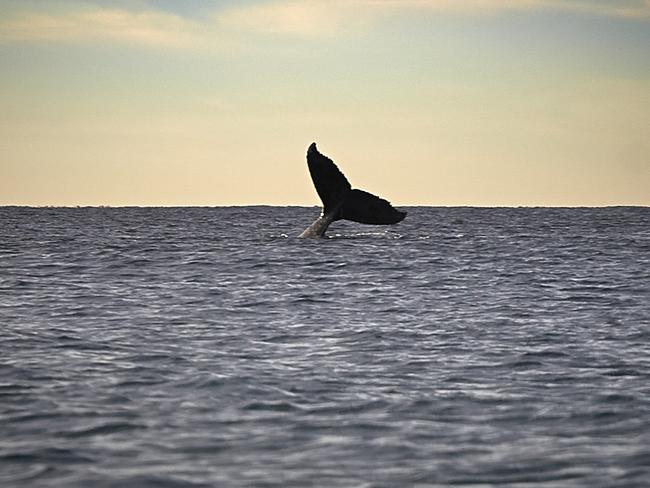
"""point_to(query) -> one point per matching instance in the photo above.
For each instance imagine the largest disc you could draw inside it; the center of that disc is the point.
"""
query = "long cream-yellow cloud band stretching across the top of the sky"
(297, 18)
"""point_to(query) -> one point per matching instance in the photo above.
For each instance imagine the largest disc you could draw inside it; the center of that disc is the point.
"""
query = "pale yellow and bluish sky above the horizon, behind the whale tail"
(423, 102)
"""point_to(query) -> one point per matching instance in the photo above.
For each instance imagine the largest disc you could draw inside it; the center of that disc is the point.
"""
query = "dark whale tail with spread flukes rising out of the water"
(341, 201)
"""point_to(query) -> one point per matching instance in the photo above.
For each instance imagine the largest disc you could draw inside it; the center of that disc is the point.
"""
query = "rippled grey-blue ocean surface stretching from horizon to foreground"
(201, 347)
